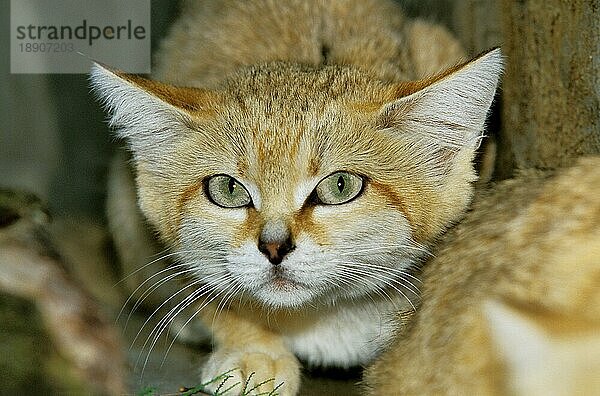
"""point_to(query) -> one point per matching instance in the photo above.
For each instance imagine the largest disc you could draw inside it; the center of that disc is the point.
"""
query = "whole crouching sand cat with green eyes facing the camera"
(299, 159)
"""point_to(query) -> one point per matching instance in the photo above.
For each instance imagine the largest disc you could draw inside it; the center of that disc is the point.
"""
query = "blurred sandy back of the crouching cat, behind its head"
(213, 39)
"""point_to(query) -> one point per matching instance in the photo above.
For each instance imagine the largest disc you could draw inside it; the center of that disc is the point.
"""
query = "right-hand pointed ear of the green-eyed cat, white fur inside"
(445, 115)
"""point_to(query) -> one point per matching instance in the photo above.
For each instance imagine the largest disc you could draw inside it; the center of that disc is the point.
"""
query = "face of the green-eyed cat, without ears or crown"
(296, 208)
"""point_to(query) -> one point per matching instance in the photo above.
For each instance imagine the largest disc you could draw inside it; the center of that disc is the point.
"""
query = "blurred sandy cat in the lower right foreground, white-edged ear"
(511, 303)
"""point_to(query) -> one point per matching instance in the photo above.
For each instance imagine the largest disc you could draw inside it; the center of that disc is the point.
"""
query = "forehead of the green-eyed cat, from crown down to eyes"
(283, 128)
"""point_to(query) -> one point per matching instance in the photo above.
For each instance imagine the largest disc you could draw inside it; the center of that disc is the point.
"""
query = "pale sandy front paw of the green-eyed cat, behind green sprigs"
(254, 372)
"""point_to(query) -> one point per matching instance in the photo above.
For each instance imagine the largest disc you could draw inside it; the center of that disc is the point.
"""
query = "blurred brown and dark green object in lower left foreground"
(57, 340)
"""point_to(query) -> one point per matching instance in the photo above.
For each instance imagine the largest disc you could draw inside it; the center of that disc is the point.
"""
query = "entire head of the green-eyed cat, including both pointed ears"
(292, 184)
